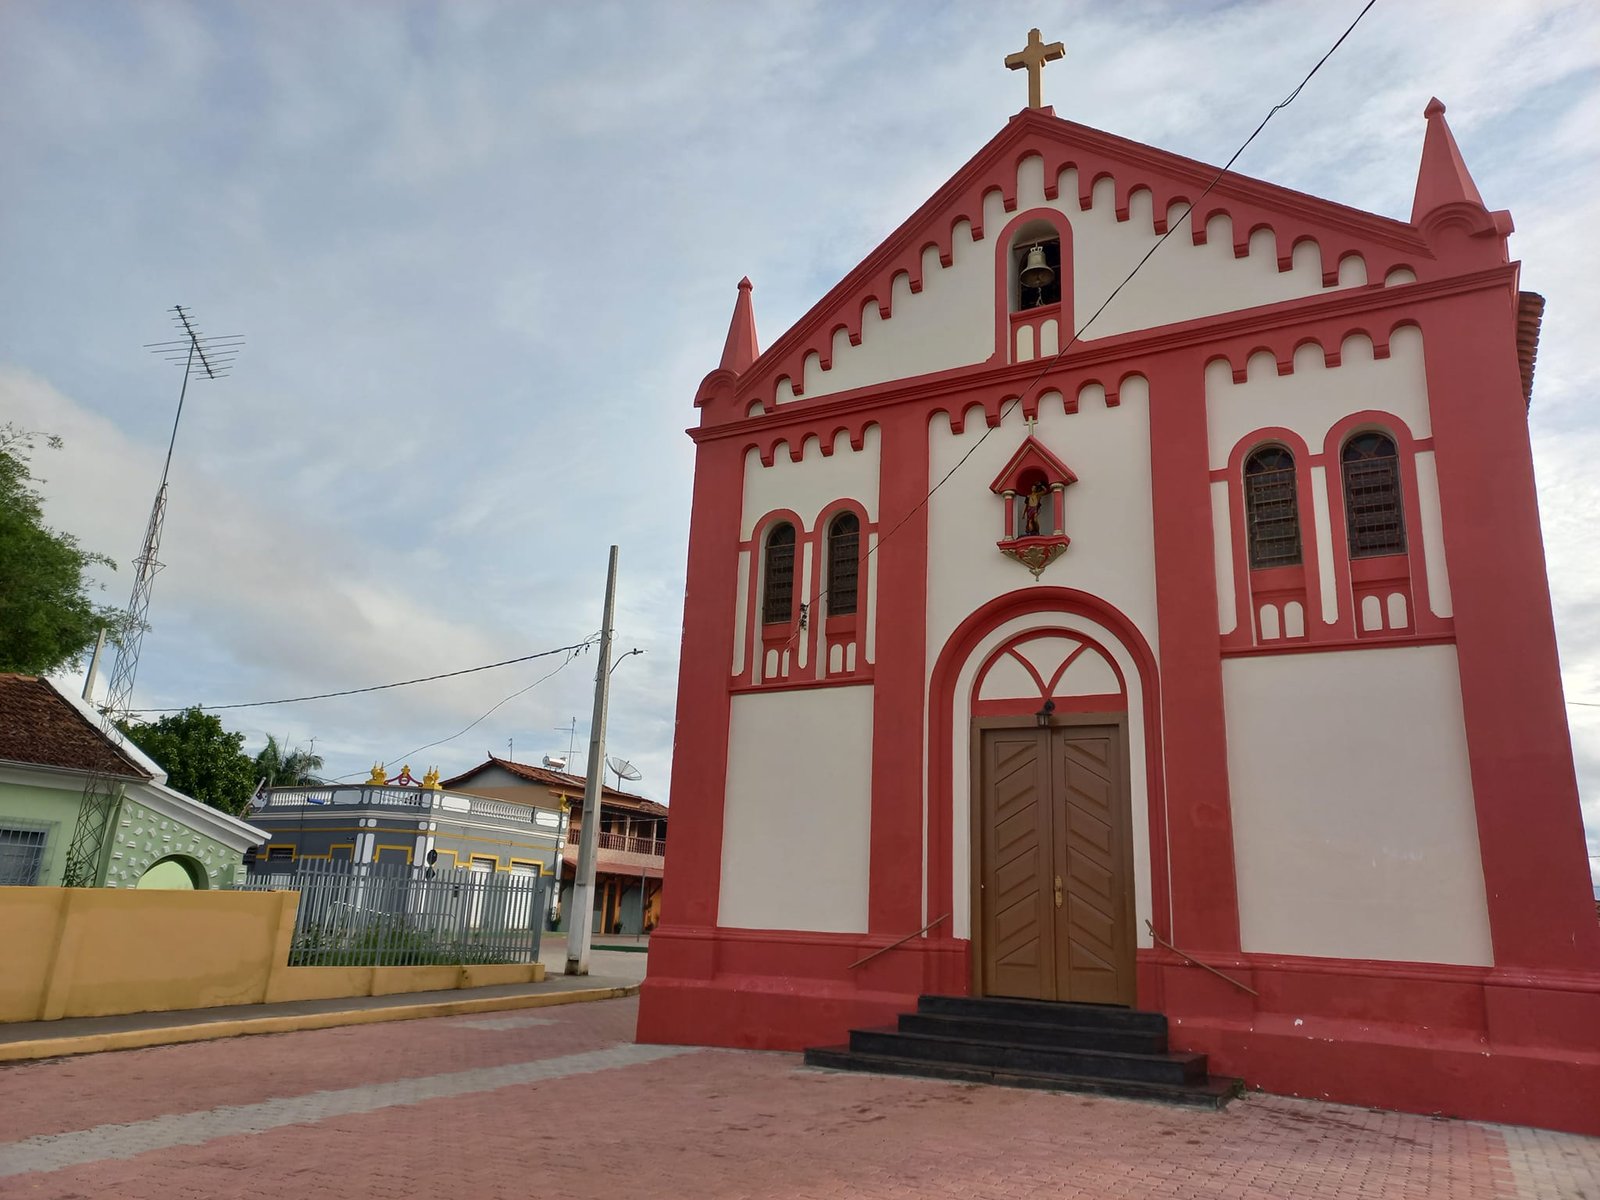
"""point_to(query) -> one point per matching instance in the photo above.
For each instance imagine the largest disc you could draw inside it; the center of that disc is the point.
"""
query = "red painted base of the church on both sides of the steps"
(1450, 1041)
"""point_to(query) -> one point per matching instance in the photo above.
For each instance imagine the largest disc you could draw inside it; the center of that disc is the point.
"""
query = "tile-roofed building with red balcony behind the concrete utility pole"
(633, 839)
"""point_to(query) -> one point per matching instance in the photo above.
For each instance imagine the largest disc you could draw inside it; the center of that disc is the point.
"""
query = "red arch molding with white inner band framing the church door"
(966, 654)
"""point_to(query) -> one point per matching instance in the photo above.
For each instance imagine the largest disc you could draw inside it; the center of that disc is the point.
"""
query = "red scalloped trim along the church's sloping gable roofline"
(1102, 170)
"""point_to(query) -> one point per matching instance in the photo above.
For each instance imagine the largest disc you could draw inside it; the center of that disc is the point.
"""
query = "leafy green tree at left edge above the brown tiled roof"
(47, 618)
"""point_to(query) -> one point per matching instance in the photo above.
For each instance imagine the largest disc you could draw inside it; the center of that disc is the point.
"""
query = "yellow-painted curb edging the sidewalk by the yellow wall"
(210, 1031)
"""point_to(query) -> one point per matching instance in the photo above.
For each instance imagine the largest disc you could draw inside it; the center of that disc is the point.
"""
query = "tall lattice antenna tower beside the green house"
(202, 358)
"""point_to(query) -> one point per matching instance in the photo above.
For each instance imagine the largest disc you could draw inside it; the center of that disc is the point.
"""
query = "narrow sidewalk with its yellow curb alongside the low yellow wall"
(86, 1036)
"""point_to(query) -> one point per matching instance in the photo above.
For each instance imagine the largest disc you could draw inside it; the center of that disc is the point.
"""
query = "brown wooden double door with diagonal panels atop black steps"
(1055, 863)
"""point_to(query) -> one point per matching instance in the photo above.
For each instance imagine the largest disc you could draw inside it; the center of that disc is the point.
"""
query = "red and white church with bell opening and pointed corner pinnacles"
(1218, 636)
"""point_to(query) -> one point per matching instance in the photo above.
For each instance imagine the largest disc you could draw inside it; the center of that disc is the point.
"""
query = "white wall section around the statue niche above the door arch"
(1110, 519)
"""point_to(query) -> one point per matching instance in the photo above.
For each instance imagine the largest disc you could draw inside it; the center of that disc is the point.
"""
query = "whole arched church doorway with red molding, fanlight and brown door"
(1098, 750)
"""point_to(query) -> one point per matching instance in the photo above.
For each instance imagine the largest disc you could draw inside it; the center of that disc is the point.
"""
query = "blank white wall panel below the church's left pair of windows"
(798, 818)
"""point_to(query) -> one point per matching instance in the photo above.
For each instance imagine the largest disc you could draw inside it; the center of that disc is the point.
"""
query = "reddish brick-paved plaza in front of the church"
(561, 1103)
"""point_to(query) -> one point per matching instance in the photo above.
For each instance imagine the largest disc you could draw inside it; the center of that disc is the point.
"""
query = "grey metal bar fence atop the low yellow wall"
(390, 914)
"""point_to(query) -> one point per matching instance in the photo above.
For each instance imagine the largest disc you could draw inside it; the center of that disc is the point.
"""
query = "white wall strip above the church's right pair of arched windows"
(1314, 398)
